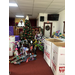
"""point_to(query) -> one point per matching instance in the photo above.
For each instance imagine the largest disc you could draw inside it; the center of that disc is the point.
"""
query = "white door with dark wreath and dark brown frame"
(47, 29)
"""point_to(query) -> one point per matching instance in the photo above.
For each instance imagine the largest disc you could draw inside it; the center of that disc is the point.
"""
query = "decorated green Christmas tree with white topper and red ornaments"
(27, 30)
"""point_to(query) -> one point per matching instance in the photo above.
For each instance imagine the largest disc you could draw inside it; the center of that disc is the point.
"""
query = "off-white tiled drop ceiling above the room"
(34, 7)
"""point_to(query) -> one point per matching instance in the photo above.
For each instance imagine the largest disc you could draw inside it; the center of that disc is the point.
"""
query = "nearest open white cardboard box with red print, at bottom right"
(58, 61)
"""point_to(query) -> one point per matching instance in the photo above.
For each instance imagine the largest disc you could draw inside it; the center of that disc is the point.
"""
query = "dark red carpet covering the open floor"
(36, 67)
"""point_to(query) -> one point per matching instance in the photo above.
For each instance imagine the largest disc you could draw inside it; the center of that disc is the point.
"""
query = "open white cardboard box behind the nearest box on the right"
(48, 49)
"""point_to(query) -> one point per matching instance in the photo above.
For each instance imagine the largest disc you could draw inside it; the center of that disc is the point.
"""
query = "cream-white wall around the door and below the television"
(56, 25)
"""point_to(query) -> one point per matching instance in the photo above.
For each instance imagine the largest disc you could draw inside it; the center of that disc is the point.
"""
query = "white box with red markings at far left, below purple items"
(11, 45)
